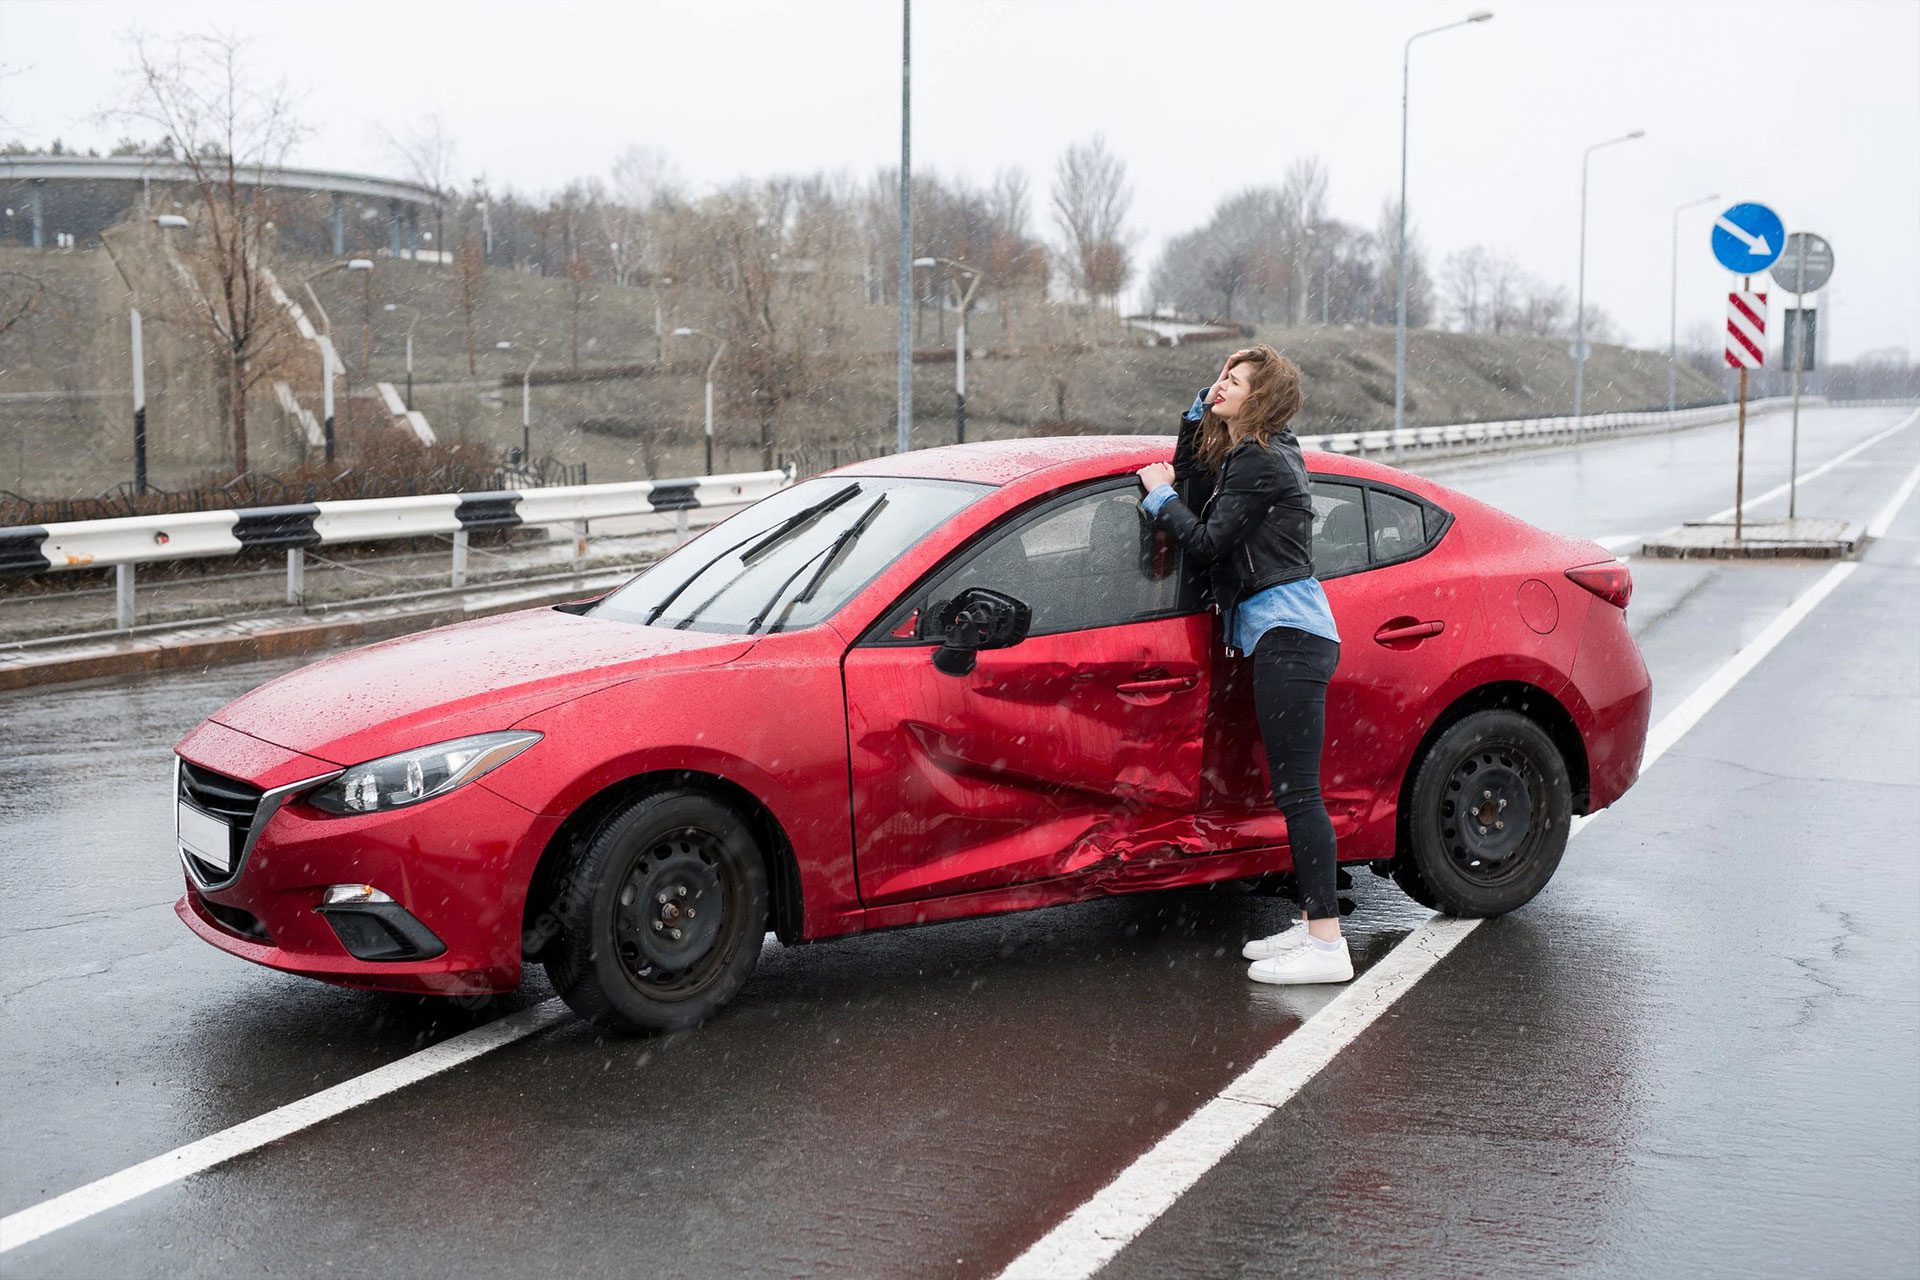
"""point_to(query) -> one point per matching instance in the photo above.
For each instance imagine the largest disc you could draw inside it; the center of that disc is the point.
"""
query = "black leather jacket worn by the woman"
(1257, 515)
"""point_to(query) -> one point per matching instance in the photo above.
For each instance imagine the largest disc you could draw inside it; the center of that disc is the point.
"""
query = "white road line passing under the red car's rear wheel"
(1088, 1239)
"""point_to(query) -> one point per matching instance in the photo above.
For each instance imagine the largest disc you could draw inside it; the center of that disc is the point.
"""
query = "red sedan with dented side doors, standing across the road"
(919, 688)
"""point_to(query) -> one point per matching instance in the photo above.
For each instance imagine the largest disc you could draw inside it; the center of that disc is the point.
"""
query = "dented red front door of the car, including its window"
(1074, 749)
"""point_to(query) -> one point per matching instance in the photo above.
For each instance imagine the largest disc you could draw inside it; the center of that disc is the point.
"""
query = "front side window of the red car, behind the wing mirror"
(1088, 563)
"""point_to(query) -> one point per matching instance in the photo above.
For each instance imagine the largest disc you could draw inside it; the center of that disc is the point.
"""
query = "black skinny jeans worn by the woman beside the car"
(1291, 673)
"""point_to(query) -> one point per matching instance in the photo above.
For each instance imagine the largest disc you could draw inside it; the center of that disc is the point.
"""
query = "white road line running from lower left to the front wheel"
(118, 1189)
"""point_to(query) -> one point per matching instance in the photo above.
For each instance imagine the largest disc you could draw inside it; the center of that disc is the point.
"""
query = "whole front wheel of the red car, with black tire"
(663, 914)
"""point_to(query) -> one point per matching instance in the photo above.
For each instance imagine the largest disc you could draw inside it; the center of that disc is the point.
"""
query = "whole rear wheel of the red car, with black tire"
(1487, 818)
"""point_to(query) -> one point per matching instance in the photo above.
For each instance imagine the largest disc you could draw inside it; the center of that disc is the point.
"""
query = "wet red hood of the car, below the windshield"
(468, 678)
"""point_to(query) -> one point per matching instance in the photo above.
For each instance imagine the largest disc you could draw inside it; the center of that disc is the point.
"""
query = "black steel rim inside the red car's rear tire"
(1493, 815)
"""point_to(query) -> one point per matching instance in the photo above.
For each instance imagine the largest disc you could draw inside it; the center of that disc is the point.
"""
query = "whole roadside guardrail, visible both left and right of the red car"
(143, 540)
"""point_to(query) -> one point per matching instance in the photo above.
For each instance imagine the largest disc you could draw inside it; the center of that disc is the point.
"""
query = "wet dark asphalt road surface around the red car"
(1698, 1053)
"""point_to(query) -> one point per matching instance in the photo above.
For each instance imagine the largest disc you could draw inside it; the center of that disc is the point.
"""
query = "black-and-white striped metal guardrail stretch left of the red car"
(130, 542)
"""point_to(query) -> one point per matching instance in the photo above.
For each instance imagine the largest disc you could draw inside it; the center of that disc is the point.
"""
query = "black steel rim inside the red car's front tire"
(671, 916)
